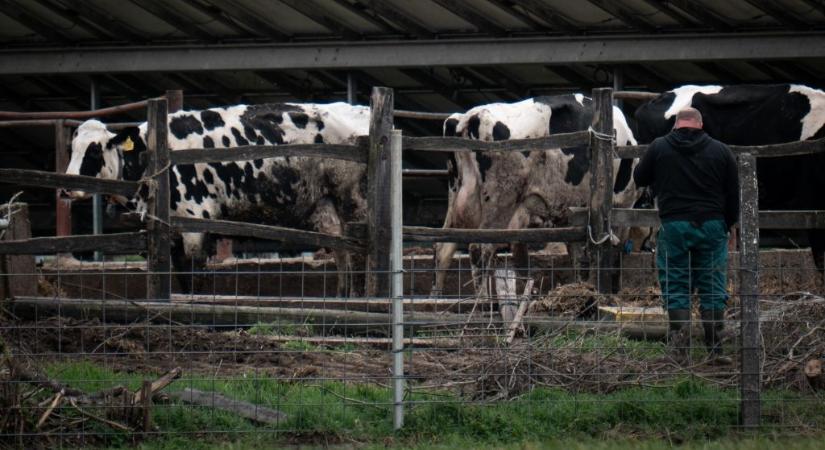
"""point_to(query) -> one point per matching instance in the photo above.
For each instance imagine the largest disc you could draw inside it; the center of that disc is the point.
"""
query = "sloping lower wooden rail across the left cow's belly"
(242, 229)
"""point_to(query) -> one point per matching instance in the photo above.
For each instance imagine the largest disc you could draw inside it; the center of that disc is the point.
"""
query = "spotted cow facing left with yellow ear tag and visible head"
(297, 192)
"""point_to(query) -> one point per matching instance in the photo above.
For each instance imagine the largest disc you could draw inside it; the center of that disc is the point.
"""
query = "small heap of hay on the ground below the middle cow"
(575, 300)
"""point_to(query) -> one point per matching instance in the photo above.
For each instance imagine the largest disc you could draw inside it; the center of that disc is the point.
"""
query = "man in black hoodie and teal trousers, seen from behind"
(695, 180)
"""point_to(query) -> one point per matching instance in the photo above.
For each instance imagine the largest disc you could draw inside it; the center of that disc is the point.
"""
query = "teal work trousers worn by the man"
(692, 256)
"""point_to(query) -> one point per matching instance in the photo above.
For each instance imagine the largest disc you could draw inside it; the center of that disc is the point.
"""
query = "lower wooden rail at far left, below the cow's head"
(117, 243)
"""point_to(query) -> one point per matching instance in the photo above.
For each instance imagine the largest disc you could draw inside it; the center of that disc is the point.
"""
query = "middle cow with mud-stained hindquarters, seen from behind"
(514, 190)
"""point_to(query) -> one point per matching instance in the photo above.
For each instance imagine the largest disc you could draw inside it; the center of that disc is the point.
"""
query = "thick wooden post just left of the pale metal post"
(378, 192)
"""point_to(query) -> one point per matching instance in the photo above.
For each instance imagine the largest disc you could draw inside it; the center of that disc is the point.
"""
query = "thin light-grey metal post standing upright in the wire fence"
(397, 285)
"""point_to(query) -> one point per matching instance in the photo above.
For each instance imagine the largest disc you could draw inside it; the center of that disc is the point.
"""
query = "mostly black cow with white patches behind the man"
(757, 115)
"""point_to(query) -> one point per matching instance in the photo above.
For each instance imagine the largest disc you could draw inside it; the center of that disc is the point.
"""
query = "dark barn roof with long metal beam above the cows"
(438, 55)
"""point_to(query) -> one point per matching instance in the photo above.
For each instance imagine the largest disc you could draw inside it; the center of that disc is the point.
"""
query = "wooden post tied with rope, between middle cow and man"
(601, 190)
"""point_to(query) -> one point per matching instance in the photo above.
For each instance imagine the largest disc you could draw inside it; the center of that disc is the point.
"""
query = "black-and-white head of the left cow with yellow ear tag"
(97, 152)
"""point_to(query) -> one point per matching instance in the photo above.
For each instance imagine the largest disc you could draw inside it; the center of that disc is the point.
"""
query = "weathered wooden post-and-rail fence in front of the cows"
(371, 238)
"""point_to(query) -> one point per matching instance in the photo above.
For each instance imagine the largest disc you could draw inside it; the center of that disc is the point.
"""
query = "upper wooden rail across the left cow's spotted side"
(249, 152)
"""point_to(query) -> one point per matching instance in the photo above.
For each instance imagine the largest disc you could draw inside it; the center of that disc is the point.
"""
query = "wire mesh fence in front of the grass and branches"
(265, 348)
